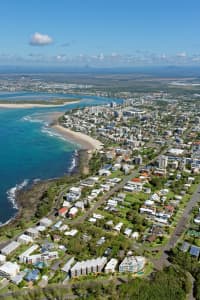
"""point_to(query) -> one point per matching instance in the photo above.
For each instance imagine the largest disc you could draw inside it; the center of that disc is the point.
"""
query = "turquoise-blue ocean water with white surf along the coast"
(30, 150)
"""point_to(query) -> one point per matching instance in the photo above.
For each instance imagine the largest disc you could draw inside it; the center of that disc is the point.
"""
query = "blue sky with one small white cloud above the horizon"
(100, 33)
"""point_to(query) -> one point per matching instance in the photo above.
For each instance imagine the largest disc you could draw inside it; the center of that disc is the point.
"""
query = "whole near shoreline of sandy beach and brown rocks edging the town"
(80, 166)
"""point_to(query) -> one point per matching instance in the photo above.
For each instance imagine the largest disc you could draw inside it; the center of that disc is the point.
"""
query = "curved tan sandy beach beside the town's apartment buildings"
(87, 142)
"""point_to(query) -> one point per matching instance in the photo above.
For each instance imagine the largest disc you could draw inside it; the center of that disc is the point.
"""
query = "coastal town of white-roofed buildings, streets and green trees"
(127, 209)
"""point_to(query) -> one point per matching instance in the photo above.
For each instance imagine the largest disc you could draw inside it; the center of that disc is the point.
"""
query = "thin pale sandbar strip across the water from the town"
(33, 105)
